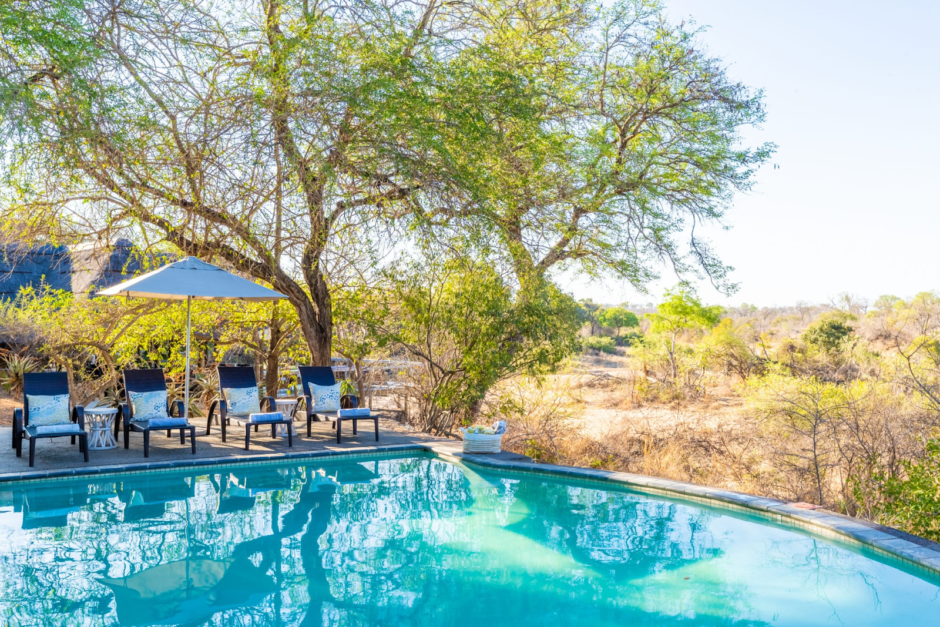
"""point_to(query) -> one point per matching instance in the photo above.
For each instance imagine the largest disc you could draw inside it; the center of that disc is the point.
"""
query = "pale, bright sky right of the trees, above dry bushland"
(853, 98)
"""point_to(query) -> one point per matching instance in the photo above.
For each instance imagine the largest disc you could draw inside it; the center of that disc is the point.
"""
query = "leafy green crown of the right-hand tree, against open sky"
(630, 143)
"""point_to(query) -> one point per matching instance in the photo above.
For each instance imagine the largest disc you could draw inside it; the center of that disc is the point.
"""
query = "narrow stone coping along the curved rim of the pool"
(918, 552)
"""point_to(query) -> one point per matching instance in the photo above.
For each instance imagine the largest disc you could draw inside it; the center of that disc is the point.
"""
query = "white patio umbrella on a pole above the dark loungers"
(189, 279)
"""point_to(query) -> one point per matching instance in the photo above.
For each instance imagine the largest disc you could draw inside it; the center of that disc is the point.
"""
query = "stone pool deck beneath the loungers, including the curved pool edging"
(57, 458)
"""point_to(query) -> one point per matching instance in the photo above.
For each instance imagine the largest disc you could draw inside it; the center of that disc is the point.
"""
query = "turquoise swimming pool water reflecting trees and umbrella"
(417, 541)
